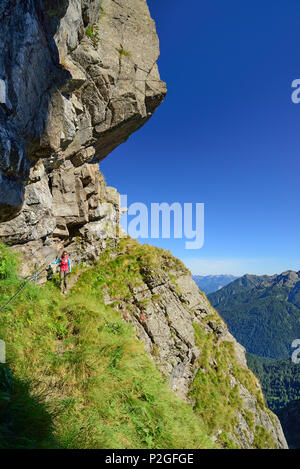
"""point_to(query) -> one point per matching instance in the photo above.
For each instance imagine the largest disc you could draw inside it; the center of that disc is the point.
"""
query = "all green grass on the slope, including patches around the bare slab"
(77, 377)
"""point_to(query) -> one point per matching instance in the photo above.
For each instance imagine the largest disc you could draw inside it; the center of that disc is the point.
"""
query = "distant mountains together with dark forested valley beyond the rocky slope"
(263, 312)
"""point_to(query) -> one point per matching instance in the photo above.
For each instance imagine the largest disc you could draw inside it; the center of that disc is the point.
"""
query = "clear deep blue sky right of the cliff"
(227, 135)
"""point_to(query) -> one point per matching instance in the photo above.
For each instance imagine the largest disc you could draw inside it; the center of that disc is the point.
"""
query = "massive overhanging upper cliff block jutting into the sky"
(77, 77)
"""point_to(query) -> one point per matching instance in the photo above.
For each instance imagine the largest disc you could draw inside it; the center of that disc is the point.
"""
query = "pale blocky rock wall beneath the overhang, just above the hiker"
(69, 208)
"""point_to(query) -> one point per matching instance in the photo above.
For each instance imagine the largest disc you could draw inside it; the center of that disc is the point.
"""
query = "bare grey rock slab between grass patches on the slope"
(163, 308)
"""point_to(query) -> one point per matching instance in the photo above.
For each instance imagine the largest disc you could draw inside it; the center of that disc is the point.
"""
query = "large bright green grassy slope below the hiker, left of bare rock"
(76, 377)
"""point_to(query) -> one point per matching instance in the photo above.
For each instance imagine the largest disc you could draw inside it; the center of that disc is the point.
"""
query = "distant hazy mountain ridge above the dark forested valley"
(262, 312)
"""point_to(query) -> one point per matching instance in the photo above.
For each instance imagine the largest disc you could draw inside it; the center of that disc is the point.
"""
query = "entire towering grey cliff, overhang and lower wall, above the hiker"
(77, 78)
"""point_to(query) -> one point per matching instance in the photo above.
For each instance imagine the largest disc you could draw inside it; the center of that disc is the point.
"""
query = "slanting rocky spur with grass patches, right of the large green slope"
(165, 305)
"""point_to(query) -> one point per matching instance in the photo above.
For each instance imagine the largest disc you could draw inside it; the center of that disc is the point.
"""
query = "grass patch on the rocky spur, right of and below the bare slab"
(216, 399)
